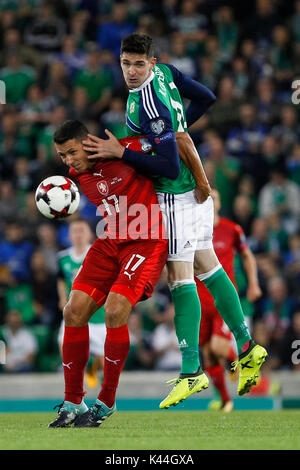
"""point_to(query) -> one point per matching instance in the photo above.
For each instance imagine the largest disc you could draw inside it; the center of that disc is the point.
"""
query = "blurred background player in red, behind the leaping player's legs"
(215, 337)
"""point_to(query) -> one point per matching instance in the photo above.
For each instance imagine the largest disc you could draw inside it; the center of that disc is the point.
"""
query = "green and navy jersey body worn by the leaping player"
(159, 96)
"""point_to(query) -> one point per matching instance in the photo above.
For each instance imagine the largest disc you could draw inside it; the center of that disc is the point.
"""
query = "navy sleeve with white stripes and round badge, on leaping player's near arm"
(156, 124)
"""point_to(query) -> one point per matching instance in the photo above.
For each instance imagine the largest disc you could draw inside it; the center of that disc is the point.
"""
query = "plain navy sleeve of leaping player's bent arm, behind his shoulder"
(201, 97)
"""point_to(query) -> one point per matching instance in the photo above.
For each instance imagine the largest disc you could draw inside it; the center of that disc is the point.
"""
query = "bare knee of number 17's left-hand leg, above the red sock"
(79, 308)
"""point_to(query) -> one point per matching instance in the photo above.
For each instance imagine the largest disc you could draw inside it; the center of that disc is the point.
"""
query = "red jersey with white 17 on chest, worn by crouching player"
(125, 199)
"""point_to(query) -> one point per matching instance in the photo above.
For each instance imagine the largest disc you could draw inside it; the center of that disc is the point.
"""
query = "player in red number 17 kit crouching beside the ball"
(120, 269)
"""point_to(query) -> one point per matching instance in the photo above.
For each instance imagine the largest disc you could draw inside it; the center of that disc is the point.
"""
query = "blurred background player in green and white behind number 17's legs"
(69, 262)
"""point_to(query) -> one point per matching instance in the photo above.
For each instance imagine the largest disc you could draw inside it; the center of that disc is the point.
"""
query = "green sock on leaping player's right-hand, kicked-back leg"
(228, 304)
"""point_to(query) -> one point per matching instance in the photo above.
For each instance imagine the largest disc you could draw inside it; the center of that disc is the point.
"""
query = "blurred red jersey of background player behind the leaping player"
(228, 238)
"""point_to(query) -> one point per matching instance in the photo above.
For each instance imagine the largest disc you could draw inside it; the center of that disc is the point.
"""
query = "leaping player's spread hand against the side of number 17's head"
(100, 148)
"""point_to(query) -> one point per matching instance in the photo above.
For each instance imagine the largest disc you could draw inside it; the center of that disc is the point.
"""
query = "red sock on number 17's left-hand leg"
(75, 352)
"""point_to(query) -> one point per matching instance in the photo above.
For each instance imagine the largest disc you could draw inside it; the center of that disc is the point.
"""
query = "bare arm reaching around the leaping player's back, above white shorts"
(191, 159)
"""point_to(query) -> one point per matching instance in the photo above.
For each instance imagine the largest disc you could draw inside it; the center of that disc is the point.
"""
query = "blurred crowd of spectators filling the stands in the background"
(60, 60)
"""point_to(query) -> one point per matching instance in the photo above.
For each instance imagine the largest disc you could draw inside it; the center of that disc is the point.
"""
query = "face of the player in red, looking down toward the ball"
(73, 155)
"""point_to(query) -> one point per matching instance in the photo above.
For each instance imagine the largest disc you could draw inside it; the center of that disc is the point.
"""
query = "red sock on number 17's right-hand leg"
(116, 350)
